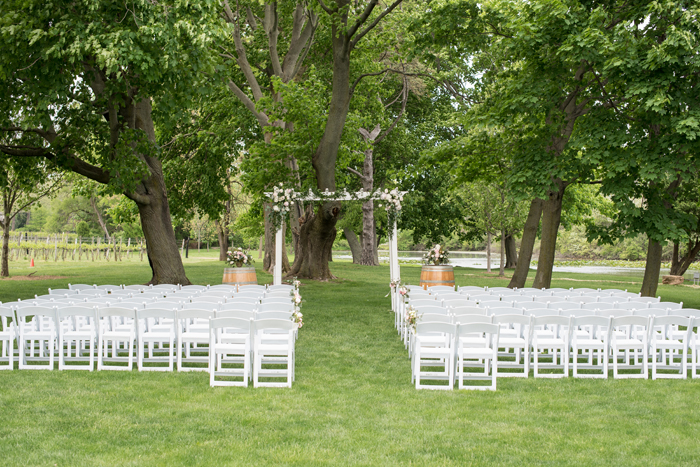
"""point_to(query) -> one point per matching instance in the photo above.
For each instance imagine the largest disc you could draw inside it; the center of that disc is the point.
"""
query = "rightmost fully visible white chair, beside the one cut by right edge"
(667, 345)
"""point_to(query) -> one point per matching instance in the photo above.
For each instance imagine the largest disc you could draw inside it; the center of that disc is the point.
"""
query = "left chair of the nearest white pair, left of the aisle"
(230, 351)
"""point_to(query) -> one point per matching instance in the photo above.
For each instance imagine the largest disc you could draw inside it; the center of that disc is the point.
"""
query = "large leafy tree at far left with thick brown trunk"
(88, 80)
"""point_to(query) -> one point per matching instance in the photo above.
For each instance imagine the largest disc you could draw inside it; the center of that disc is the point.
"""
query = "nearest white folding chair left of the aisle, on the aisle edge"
(271, 349)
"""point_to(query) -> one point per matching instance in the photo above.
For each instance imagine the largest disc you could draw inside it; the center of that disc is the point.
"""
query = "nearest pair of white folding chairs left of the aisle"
(262, 342)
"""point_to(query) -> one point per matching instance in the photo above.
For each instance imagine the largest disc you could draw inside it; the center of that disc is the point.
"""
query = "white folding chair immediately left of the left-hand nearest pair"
(192, 332)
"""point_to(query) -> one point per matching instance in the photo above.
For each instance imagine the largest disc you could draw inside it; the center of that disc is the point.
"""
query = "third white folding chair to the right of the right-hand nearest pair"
(590, 335)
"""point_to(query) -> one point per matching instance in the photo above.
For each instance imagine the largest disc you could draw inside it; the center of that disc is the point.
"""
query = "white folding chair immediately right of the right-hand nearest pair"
(514, 334)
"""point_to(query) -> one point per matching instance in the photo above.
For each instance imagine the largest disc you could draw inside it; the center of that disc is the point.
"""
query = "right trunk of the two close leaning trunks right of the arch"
(551, 218)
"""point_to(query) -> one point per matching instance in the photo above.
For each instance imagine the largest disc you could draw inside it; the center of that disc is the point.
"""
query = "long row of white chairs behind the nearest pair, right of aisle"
(595, 336)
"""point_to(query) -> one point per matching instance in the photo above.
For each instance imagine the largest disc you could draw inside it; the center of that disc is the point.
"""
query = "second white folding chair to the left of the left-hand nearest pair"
(156, 327)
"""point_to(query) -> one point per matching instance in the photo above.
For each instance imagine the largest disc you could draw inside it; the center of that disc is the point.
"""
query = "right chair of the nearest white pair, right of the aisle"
(470, 355)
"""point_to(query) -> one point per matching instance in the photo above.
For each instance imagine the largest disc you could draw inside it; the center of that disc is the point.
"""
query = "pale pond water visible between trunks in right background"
(477, 260)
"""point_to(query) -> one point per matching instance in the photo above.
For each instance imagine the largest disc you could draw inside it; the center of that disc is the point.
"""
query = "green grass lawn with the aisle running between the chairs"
(352, 402)
